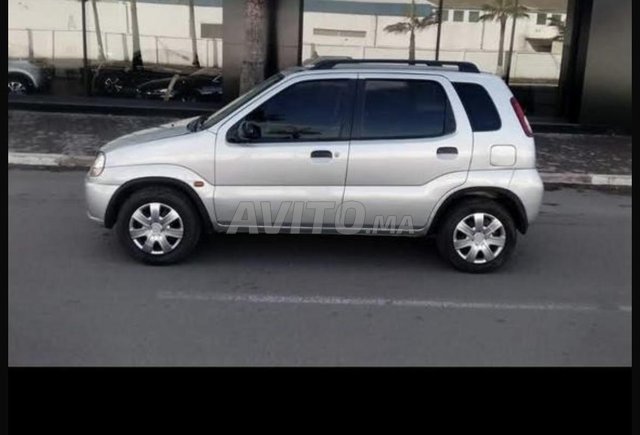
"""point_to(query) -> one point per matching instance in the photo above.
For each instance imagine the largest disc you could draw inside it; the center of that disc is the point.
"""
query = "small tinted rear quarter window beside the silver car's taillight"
(479, 106)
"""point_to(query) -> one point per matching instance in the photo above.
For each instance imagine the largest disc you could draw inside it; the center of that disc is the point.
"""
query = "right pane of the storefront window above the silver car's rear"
(532, 70)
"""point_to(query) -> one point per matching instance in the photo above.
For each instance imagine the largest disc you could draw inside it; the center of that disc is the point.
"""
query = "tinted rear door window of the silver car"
(404, 109)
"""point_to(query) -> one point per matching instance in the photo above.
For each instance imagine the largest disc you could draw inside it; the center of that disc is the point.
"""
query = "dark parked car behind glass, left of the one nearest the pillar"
(119, 79)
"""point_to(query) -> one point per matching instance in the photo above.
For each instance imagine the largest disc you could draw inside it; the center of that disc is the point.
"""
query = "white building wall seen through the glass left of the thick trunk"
(56, 28)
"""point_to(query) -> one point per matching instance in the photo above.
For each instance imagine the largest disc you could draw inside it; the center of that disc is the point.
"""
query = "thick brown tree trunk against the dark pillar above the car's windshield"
(255, 44)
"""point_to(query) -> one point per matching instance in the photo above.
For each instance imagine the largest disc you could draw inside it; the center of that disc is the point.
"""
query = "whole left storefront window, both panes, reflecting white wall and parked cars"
(165, 50)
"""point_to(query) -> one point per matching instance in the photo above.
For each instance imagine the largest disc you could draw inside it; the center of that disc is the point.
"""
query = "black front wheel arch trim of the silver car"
(128, 188)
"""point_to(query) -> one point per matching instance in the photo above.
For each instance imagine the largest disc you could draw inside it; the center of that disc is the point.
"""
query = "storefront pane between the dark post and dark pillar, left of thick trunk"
(160, 50)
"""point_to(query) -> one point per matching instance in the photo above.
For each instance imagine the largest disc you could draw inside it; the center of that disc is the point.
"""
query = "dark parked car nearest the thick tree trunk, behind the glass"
(203, 85)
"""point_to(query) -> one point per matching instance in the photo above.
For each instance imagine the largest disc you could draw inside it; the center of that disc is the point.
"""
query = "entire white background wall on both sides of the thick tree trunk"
(56, 32)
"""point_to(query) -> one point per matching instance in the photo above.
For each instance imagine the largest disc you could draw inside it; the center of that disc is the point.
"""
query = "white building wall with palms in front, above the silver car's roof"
(474, 42)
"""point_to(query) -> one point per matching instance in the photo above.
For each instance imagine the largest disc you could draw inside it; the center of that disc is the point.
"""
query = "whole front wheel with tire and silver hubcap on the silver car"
(161, 238)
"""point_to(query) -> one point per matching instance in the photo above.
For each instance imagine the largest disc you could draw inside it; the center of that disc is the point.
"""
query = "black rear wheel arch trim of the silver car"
(503, 196)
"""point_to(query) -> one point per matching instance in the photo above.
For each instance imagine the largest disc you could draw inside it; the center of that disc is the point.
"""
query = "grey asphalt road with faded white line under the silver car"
(75, 298)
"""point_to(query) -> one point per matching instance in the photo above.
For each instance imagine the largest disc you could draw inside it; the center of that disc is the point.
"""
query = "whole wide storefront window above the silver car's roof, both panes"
(477, 31)
